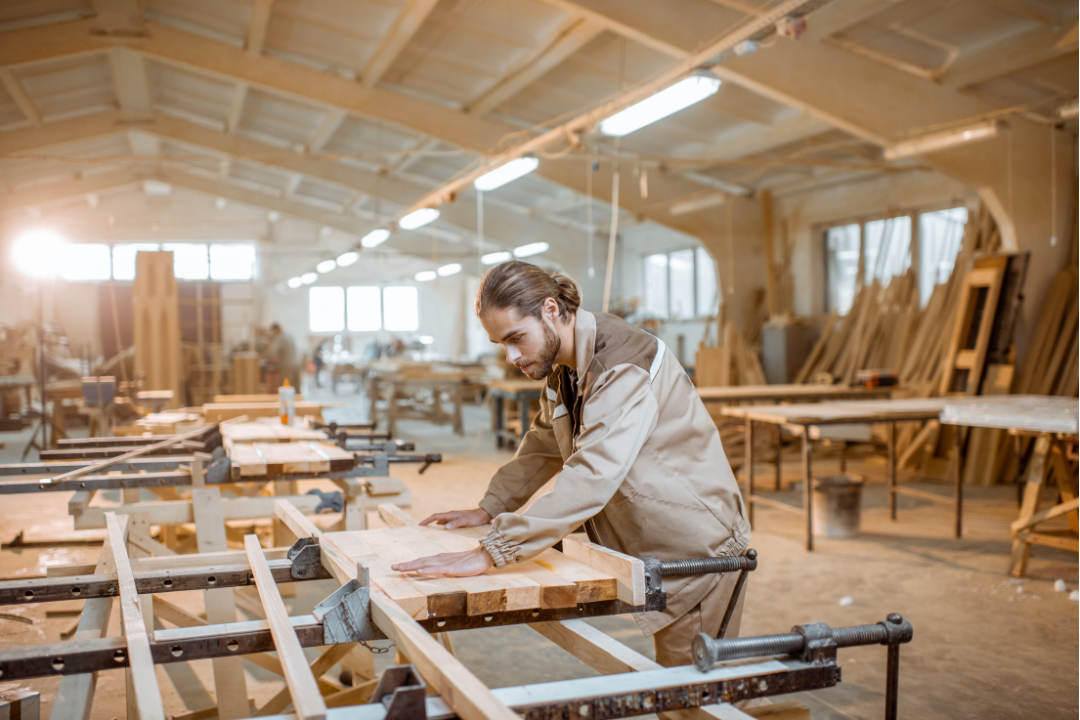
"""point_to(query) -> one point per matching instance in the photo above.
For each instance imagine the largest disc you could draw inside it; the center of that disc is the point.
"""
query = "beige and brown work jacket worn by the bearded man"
(640, 465)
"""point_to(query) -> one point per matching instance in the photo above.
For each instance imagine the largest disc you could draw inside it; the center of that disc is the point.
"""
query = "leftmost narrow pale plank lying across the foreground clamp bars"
(147, 700)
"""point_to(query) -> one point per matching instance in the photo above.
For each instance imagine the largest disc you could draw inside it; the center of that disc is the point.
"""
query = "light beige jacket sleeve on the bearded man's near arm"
(617, 420)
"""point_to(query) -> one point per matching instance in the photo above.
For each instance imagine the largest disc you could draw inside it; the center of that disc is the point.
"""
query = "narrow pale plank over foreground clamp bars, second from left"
(303, 688)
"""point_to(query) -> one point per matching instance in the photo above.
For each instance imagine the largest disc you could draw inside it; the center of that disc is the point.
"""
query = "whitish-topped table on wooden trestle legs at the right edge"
(1054, 424)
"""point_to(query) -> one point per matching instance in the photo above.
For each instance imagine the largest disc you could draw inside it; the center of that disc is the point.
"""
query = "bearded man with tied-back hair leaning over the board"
(639, 460)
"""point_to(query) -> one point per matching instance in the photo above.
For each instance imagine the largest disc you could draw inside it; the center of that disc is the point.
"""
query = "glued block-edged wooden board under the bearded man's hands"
(552, 580)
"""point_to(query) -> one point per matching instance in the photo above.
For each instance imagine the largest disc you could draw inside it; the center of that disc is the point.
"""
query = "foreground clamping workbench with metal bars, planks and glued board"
(374, 605)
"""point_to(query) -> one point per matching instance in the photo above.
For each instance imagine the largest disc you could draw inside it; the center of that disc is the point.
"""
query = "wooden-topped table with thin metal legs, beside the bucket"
(806, 416)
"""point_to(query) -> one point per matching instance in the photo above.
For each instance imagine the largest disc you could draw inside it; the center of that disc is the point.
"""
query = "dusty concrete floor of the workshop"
(985, 647)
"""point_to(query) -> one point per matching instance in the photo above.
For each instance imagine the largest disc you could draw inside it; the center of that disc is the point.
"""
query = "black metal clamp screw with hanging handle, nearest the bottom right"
(815, 644)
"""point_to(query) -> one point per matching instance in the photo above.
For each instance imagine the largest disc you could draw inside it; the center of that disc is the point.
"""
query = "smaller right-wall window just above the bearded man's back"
(681, 286)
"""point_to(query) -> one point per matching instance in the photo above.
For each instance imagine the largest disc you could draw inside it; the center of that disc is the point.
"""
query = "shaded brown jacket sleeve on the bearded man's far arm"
(536, 463)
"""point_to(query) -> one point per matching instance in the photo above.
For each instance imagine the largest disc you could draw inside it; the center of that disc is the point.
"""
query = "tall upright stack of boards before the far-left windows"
(157, 323)
